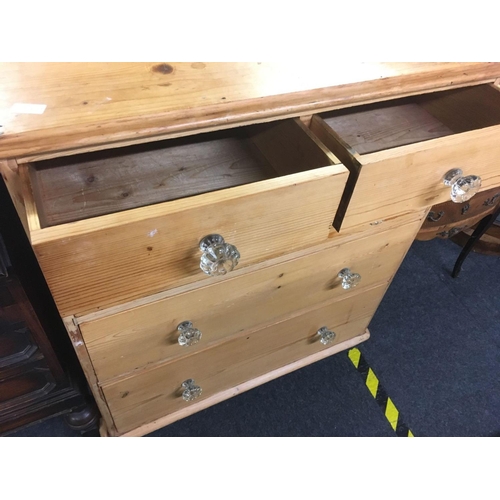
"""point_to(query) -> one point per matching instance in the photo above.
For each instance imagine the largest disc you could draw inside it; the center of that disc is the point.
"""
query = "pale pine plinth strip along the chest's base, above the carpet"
(240, 388)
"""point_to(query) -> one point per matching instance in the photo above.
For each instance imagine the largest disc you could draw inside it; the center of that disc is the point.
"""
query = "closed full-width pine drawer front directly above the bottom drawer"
(148, 334)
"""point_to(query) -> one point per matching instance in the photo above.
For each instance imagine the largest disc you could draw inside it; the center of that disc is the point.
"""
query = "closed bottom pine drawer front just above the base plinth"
(155, 393)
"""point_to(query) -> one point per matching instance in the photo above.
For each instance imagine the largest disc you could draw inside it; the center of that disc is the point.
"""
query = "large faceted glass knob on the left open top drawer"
(218, 256)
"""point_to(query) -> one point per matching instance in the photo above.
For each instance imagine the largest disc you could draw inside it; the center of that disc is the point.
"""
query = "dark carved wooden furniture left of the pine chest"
(39, 375)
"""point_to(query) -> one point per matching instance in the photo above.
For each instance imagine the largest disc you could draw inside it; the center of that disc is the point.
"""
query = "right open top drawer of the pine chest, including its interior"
(399, 151)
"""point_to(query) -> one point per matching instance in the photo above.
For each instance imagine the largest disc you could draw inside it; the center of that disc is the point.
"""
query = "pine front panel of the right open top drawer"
(407, 178)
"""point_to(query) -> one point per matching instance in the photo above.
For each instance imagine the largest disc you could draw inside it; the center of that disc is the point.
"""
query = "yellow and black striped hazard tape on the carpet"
(379, 393)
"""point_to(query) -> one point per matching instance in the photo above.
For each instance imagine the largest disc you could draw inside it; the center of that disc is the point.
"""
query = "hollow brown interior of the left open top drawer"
(92, 184)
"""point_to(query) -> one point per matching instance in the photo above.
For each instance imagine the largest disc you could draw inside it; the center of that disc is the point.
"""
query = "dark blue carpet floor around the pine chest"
(435, 347)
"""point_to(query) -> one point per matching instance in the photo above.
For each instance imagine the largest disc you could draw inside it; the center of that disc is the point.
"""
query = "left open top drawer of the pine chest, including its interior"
(109, 227)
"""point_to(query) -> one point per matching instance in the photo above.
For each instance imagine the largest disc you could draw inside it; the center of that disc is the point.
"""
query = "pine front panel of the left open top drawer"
(94, 264)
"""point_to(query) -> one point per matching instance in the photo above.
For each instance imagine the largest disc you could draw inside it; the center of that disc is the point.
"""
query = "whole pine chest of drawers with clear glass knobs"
(201, 242)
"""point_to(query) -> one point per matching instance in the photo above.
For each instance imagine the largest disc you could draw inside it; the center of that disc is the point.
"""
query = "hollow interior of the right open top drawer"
(399, 122)
